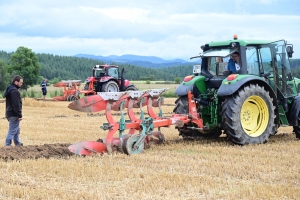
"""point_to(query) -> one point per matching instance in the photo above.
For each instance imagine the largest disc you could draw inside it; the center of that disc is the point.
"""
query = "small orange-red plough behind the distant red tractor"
(71, 90)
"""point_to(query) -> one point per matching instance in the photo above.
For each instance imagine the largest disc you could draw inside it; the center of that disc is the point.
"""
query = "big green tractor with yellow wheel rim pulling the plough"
(247, 104)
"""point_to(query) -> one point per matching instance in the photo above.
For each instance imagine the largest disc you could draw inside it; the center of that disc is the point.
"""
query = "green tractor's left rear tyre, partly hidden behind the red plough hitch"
(182, 107)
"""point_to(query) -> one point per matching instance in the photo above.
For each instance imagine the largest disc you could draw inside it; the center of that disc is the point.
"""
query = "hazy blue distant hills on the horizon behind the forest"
(143, 61)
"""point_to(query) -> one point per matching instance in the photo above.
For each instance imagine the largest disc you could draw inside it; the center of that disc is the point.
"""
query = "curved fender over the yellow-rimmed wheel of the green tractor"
(229, 89)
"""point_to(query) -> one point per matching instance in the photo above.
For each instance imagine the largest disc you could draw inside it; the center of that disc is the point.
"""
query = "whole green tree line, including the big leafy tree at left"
(34, 67)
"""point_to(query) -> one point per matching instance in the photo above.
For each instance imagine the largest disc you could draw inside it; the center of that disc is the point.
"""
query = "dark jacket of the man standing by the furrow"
(13, 102)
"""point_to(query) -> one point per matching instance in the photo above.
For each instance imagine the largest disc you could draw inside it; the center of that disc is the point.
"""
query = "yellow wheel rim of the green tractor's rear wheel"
(254, 116)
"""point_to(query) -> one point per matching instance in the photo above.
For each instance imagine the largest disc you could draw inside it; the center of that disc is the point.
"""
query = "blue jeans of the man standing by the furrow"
(13, 131)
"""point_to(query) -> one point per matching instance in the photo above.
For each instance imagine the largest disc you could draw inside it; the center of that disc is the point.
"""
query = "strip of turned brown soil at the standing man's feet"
(35, 151)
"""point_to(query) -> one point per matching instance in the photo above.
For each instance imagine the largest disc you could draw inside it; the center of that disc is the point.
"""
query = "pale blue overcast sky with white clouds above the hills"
(167, 29)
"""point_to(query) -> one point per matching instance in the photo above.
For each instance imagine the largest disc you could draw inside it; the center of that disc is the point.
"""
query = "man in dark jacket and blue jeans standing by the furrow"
(13, 111)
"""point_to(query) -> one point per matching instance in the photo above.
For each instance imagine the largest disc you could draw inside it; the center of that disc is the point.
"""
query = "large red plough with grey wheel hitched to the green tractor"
(132, 142)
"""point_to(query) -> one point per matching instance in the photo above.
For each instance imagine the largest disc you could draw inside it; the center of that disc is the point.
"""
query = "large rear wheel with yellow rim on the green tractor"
(248, 116)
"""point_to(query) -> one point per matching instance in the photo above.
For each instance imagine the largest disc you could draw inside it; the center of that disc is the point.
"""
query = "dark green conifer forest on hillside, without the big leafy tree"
(69, 67)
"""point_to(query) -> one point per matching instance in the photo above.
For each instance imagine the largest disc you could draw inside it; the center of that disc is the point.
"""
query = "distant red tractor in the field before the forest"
(105, 78)
